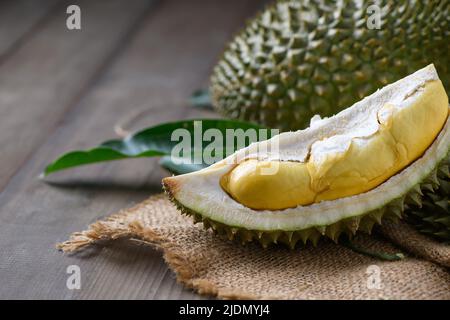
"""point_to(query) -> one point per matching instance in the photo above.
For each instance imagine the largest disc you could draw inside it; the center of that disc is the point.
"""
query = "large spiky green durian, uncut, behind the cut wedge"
(301, 58)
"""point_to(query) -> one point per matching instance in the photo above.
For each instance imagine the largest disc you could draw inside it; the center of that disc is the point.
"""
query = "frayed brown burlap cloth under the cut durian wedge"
(214, 266)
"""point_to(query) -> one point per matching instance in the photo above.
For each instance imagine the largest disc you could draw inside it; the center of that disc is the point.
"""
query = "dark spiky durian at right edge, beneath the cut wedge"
(432, 215)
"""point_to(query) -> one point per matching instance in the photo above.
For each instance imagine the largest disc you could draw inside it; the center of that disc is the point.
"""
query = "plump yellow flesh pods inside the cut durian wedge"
(339, 166)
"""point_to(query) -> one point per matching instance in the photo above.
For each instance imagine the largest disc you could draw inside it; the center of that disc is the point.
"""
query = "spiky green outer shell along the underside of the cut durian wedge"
(393, 211)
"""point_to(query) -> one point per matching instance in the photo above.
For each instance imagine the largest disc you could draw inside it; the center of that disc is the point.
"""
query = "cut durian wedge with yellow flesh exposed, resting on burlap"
(342, 174)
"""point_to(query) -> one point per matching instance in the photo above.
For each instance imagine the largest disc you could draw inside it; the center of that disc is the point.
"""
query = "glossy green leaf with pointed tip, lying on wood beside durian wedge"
(150, 142)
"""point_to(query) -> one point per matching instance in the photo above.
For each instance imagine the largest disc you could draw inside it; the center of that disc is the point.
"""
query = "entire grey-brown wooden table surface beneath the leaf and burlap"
(65, 89)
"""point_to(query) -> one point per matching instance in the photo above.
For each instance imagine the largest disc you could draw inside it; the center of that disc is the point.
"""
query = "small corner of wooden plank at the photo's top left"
(19, 19)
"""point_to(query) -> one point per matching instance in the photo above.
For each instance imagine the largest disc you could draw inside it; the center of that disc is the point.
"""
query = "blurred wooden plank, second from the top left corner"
(47, 74)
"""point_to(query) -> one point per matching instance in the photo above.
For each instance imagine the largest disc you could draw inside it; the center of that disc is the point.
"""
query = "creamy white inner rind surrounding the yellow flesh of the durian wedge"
(200, 193)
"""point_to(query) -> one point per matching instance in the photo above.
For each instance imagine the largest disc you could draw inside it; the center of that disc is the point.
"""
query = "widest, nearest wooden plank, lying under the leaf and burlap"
(171, 55)
